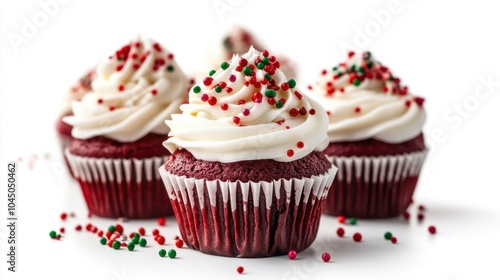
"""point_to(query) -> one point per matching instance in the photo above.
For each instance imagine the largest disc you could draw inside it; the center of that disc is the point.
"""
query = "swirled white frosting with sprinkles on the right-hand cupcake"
(365, 100)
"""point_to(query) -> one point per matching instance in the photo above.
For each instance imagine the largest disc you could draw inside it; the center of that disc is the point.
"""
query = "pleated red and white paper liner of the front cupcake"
(248, 219)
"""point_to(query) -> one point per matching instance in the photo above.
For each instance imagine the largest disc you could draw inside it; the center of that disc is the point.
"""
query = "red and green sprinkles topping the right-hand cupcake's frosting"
(356, 72)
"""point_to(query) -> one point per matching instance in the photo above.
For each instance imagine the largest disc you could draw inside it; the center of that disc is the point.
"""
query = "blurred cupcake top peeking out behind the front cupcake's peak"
(237, 41)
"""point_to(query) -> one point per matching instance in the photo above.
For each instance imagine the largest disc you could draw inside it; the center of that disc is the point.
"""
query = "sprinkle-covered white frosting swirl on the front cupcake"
(248, 110)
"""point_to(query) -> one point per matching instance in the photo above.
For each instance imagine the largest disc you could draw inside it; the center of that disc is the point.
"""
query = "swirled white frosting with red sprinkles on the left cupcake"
(134, 91)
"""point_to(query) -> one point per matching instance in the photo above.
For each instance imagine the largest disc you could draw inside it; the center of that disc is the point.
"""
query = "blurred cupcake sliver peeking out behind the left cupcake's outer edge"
(76, 92)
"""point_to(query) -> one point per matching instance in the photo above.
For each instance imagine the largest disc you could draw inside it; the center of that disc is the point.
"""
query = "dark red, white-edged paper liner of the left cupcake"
(115, 188)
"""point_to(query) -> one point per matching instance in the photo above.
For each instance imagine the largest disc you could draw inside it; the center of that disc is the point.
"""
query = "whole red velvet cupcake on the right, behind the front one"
(376, 138)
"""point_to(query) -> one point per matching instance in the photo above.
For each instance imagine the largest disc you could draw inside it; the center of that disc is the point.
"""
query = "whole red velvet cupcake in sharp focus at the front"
(246, 177)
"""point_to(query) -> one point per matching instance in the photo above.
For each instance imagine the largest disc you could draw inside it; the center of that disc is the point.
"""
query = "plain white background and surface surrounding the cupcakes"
(441, 50)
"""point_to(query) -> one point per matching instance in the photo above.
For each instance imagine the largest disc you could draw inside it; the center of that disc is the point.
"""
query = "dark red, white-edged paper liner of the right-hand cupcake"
(374, 187)
